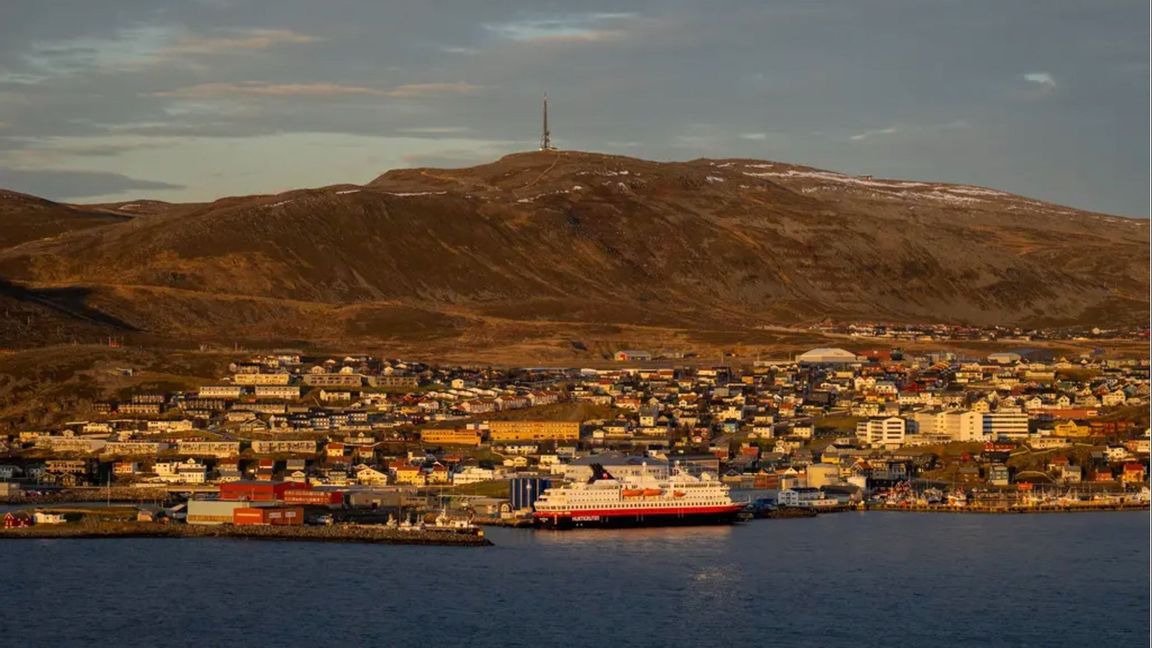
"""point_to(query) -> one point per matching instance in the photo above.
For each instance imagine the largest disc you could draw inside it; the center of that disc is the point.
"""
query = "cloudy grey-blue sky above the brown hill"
(196, 100)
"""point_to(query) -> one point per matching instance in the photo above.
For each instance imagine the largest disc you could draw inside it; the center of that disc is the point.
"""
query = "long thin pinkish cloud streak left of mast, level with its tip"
(261, 89)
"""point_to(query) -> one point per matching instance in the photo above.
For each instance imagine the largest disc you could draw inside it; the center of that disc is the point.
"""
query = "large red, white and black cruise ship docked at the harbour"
(608, 502)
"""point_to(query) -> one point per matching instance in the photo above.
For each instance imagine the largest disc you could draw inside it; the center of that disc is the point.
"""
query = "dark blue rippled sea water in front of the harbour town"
(851, 579)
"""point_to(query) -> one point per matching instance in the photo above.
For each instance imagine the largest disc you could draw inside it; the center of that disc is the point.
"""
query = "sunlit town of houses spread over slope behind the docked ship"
(825, 431)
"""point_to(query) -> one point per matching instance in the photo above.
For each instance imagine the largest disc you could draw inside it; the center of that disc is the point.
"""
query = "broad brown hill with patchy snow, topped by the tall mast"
(557, 245)
